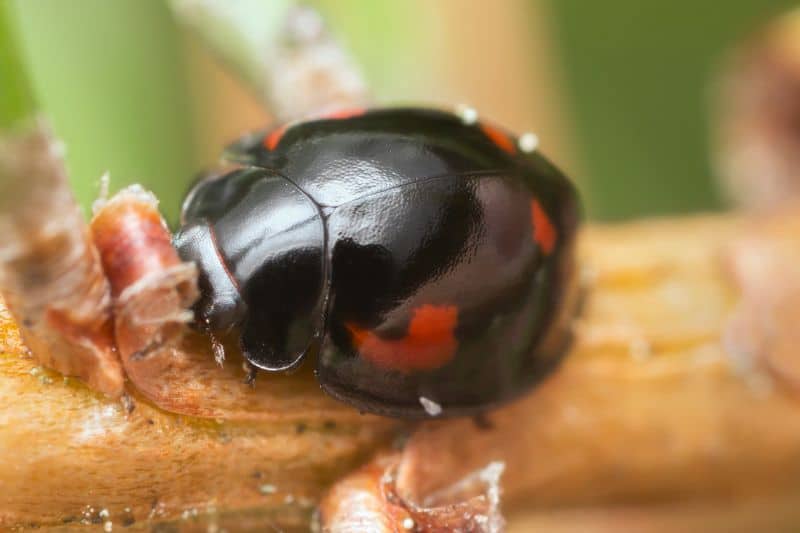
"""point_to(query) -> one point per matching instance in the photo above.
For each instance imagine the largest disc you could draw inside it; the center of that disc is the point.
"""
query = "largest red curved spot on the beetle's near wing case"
(429, 343)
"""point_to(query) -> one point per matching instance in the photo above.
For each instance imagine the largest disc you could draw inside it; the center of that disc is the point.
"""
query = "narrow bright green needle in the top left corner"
(17, 103)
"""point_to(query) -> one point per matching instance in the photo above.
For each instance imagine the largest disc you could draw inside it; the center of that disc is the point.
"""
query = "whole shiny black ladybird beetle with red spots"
(425, 258)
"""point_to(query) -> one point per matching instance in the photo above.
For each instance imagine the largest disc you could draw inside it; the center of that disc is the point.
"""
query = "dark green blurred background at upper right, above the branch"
(638, 74)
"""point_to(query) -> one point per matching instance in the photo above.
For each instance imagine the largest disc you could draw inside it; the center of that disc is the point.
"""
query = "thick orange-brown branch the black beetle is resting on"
(671, 392)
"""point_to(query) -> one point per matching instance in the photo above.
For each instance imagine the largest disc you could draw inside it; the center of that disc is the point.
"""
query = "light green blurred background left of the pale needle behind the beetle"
(110, 76)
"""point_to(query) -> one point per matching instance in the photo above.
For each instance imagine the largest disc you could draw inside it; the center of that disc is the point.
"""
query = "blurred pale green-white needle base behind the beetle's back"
(284, 53)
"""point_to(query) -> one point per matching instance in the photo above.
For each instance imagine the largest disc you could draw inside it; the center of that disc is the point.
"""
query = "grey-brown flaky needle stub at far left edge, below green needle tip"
(50, 271)
